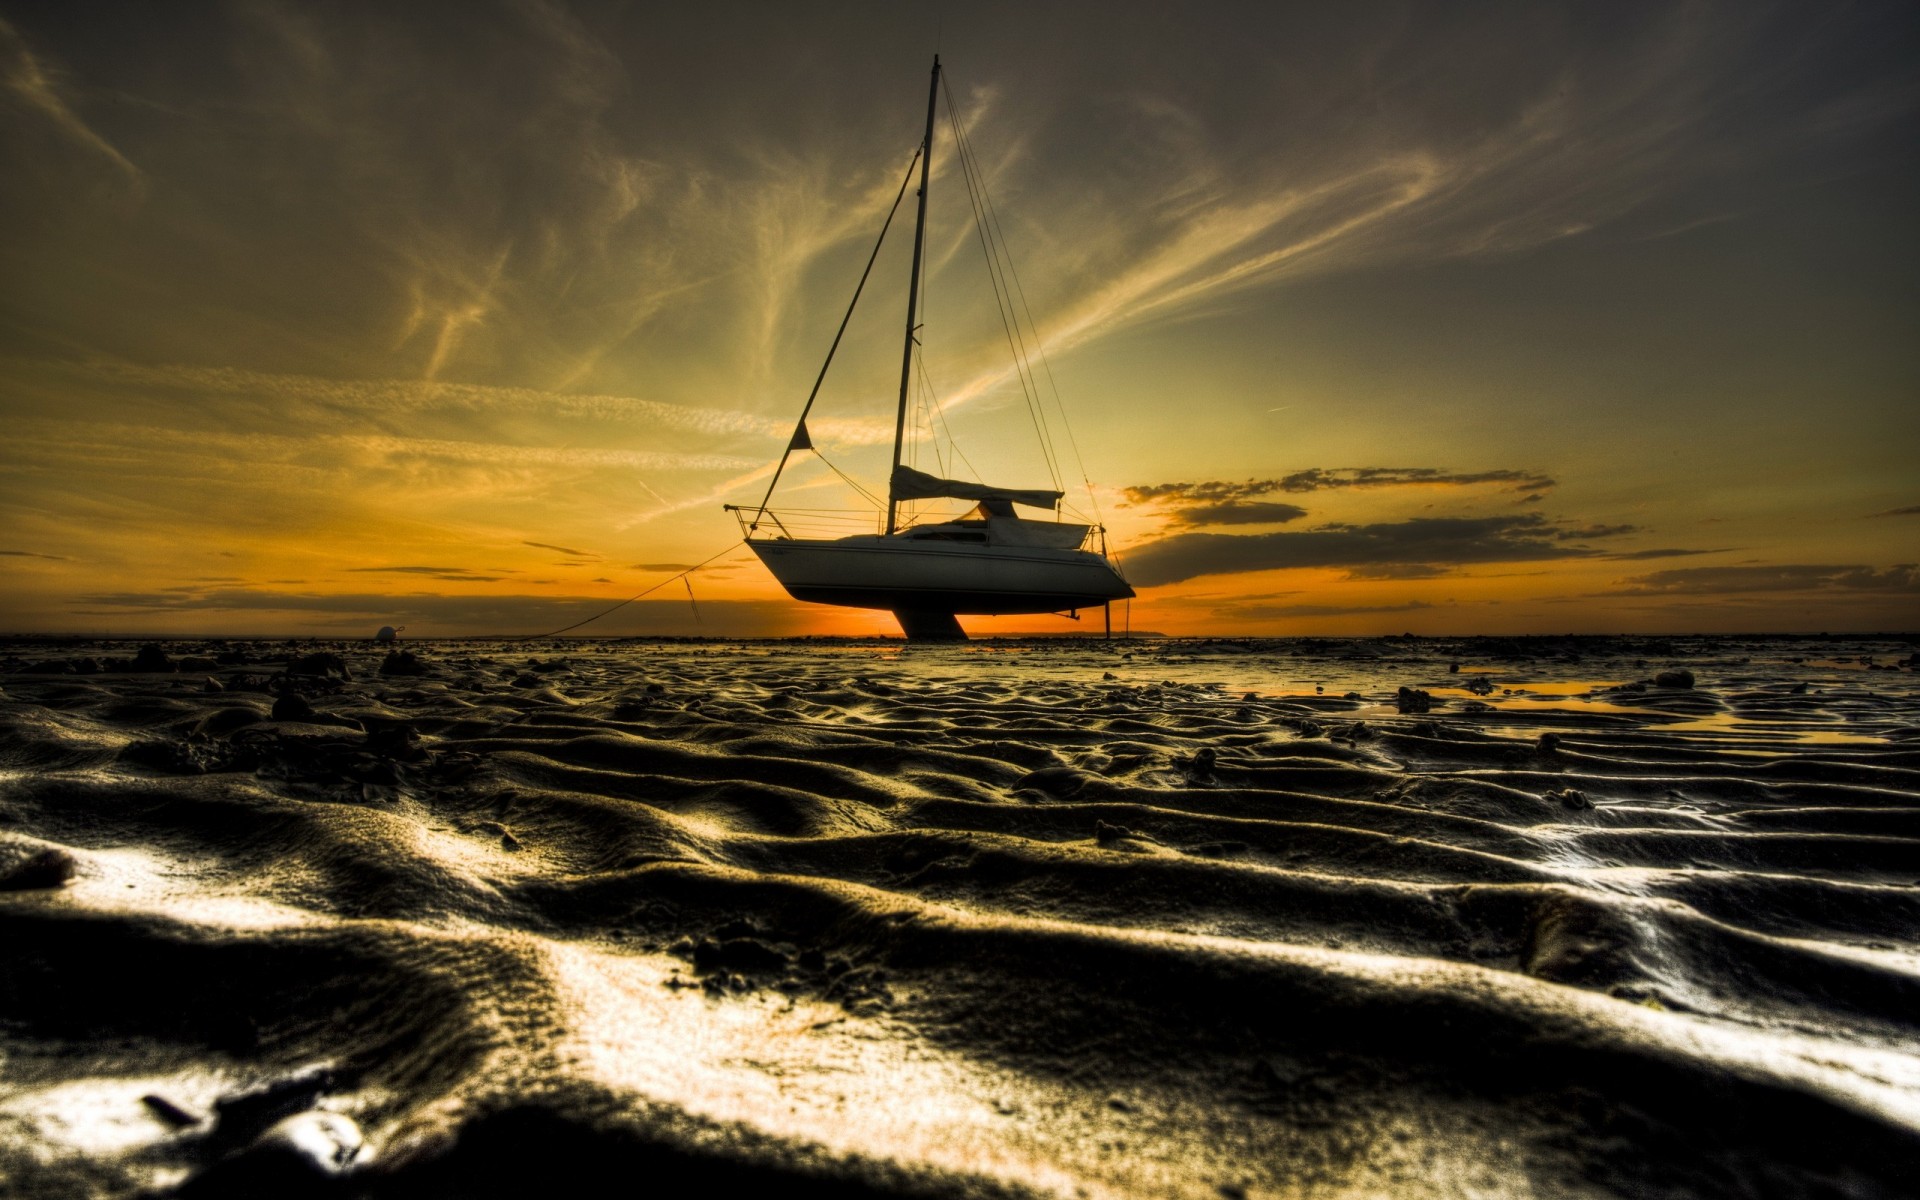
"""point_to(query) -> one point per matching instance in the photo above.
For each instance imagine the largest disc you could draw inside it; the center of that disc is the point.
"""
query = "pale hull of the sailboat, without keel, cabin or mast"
(940, 577)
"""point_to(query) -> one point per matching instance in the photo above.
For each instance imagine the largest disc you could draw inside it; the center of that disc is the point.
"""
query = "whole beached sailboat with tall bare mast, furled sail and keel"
(928, 571)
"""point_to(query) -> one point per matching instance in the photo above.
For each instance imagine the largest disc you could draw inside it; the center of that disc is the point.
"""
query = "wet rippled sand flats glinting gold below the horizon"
(1011, 919)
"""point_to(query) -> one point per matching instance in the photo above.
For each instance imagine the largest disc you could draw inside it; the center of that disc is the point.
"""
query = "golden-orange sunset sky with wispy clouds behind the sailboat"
(1370, 318)
